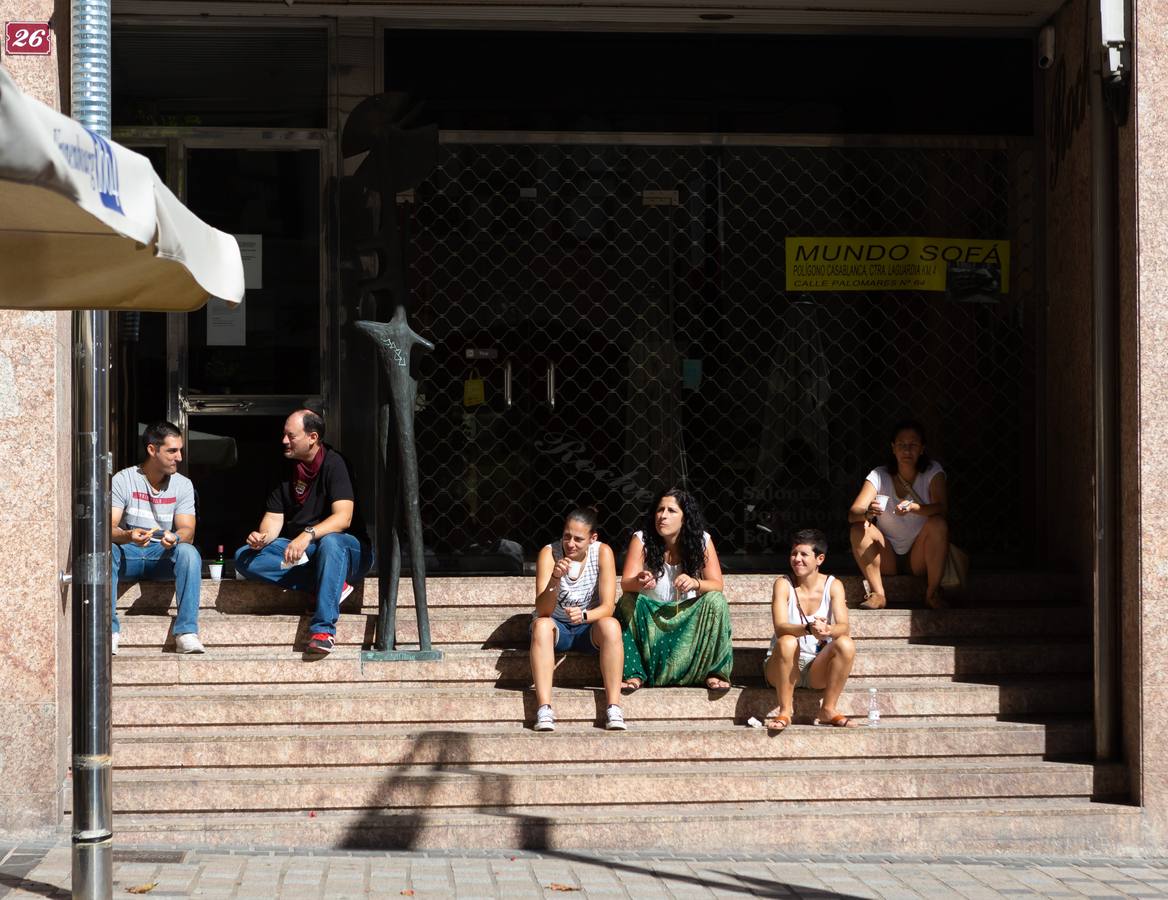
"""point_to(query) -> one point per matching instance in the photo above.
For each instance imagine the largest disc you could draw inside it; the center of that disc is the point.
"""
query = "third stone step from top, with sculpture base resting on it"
(512, 666)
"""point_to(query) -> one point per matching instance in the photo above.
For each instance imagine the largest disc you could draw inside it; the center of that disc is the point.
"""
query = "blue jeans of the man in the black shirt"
(332, 561)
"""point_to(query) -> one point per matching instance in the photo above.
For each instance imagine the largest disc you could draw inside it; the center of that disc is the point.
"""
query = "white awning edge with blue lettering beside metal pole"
(87, 225)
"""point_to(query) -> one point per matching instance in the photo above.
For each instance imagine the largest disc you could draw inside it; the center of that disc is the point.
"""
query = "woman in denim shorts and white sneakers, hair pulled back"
(575, 595)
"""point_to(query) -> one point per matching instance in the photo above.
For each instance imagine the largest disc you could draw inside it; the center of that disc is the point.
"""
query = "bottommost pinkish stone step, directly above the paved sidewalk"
(1069, 827)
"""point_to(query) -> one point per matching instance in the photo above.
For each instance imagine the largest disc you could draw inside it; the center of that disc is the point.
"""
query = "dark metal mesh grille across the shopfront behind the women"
(678, 357)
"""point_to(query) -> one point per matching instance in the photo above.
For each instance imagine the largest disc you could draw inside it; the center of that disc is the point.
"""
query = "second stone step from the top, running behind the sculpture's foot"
(510, 626)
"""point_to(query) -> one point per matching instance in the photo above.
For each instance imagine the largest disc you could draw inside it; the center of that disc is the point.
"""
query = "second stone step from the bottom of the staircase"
(529, 787)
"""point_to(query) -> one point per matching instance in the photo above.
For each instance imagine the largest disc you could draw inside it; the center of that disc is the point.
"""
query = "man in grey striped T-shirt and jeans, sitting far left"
(154, 513)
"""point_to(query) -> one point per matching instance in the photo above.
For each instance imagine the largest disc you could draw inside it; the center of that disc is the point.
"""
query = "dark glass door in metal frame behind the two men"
(237, 374)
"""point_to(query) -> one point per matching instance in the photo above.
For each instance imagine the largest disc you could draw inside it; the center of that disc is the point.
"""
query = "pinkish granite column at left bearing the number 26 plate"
(34, 514)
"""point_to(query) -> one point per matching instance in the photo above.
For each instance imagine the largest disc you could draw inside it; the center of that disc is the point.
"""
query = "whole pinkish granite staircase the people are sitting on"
(984, 744)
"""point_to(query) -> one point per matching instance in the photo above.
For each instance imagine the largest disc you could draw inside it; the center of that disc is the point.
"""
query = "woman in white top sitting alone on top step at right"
(899, 519)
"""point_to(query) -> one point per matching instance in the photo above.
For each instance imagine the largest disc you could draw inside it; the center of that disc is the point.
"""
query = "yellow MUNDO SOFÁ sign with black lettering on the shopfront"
(894, 263)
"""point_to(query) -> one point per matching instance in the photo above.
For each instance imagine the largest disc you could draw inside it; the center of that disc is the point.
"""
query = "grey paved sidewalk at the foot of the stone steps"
(41, 870)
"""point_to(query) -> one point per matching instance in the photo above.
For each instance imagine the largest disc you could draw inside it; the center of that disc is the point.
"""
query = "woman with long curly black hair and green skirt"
(675, 618)
